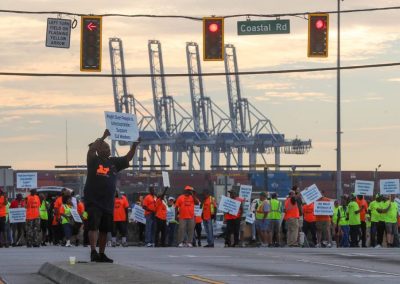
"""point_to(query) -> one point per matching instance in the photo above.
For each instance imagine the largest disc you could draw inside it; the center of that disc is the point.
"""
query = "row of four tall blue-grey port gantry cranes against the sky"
(208, 128)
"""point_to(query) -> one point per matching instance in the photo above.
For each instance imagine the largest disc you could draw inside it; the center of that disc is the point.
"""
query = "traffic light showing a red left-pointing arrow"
(91, 43)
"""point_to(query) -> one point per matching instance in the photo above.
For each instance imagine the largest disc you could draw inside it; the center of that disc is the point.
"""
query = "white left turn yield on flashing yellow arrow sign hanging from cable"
(58, 33)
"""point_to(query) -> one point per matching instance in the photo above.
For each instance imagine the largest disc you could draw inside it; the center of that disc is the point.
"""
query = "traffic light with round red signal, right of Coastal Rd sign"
(318, 29)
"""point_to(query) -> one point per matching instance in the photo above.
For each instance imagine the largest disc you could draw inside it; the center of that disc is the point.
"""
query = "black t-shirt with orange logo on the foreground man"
(101, 181)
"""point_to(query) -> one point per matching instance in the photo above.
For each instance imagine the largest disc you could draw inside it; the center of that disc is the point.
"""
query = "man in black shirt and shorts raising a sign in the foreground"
(100, 190)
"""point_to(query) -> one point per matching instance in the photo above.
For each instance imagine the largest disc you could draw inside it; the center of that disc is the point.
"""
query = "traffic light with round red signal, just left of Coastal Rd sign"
(213, 39)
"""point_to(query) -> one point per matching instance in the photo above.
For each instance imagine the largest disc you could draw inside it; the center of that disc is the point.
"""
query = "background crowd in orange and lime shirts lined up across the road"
(171, 221)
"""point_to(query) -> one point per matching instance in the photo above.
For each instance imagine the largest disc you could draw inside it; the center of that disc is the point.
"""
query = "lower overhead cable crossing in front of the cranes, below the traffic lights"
(262, 72)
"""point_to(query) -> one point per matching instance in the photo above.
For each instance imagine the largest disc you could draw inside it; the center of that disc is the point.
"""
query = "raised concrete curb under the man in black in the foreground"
(98, 273)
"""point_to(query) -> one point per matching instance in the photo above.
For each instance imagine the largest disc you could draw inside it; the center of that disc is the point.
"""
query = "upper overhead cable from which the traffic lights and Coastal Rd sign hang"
(199, 18)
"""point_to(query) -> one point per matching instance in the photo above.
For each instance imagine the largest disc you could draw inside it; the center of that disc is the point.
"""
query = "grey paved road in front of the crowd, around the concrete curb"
(225, 265)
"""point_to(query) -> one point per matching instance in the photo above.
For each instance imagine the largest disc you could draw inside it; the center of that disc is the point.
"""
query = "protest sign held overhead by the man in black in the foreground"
(122, 126)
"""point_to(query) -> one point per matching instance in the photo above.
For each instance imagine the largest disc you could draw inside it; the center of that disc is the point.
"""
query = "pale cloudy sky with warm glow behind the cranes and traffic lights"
(37, 112)
